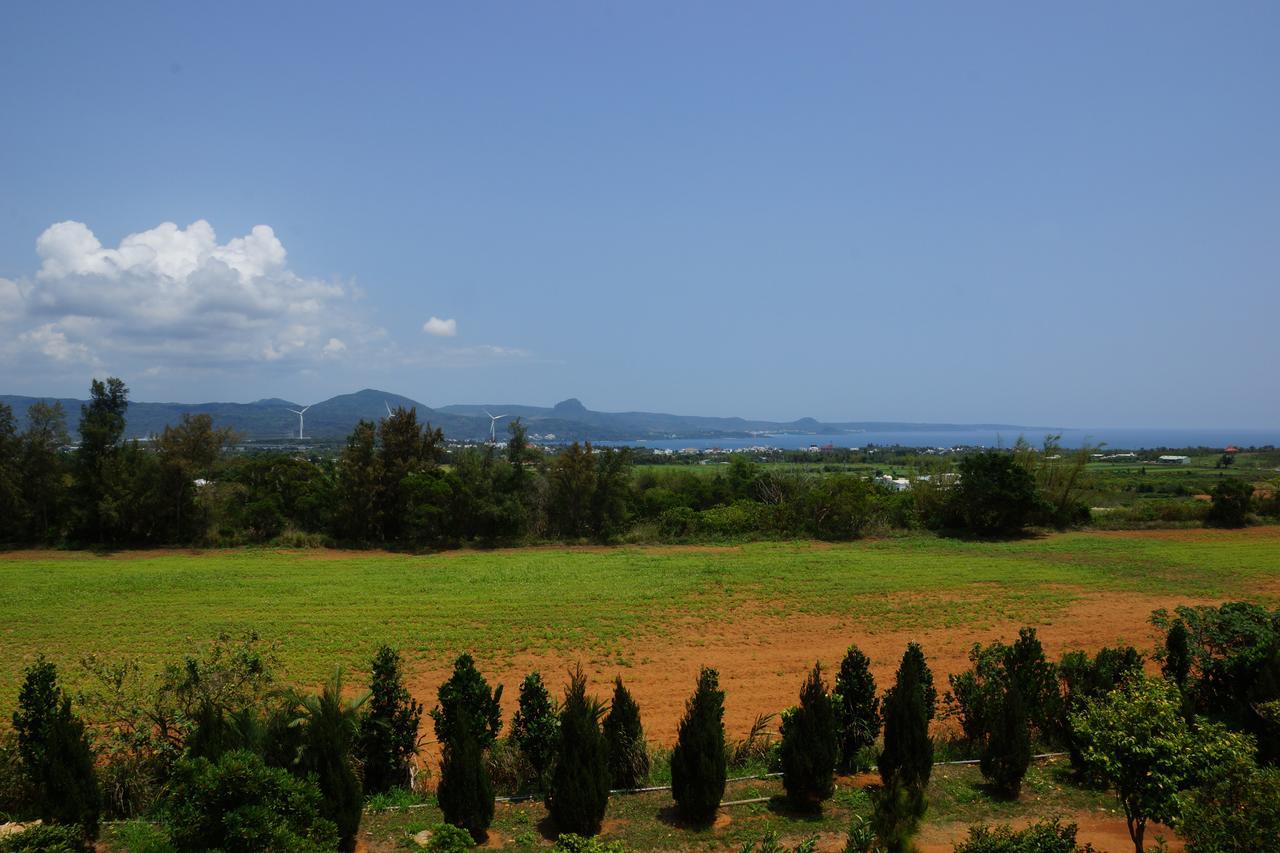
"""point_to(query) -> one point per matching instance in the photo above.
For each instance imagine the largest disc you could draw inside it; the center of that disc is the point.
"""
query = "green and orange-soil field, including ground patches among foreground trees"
(761, 613)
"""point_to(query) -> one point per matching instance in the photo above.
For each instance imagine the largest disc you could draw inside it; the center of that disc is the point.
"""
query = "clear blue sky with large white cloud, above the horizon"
(922, 212)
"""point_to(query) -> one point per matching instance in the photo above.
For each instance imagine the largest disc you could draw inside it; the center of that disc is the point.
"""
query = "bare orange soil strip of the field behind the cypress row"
(764, 659)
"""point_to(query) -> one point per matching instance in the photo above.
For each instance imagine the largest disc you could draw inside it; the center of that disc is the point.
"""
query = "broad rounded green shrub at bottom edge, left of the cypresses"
(240, 805)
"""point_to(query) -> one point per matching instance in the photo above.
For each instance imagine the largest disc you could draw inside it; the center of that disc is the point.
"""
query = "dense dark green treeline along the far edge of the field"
(396, 483)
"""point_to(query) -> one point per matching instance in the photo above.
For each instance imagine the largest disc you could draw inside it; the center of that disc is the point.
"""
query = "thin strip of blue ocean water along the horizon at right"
(1110, 437)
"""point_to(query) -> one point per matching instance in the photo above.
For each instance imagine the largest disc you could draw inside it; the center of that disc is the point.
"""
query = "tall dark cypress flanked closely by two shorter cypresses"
(580, 781)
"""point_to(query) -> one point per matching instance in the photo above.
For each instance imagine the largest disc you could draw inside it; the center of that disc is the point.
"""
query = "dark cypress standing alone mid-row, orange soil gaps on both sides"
(698, 763)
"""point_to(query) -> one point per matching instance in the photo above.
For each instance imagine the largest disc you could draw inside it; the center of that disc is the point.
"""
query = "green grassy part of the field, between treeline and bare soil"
(335, 608)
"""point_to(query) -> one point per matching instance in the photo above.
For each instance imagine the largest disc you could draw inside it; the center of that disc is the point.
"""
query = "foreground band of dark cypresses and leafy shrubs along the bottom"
(214, 752)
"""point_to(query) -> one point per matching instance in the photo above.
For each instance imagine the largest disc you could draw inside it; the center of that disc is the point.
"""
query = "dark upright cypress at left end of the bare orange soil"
(388, 729)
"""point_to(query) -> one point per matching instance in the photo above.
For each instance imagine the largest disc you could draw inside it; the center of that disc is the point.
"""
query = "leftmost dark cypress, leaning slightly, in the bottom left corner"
(56, 752)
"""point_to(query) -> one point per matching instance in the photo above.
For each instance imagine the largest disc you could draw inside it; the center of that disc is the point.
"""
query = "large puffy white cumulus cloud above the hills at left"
(176, 298)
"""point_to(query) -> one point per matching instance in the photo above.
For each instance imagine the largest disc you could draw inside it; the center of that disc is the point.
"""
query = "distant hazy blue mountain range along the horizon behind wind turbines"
(566, 421)
